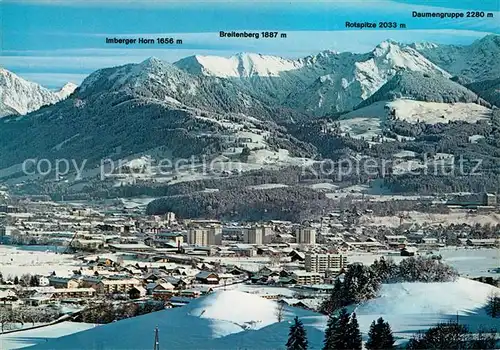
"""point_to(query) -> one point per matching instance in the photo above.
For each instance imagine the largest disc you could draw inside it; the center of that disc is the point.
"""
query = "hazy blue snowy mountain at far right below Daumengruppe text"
(477, 61)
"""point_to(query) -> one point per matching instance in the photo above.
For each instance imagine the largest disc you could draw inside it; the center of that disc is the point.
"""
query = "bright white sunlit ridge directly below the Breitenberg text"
(240, 65)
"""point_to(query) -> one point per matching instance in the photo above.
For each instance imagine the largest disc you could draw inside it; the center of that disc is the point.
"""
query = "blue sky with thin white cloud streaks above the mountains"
(55, 41)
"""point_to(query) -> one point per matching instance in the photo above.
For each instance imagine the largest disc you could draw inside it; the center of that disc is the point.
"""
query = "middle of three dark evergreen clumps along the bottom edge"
(342, 332)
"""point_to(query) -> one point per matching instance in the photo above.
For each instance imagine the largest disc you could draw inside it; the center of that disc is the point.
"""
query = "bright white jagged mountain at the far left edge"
(18, 96)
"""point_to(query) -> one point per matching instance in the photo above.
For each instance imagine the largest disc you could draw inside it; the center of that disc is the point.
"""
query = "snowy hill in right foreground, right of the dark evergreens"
(410, 307)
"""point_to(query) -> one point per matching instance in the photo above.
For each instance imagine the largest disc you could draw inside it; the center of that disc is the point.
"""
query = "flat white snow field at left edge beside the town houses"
(17, 260)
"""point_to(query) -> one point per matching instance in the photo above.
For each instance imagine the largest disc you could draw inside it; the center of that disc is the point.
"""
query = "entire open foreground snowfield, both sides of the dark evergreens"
(238, 320)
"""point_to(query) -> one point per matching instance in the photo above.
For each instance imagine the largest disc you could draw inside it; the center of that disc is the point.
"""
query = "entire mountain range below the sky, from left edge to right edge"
(197, 105)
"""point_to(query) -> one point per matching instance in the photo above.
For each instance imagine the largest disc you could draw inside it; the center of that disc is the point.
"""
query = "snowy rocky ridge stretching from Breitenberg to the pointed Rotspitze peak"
(329, 82)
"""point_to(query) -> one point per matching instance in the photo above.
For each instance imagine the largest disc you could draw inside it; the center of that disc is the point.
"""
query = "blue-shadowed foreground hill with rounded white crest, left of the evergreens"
(191, 327)
